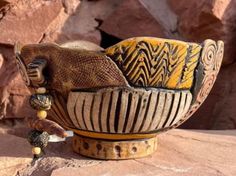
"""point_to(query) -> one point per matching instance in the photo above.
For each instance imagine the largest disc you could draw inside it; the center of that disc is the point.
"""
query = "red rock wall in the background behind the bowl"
(106, 22)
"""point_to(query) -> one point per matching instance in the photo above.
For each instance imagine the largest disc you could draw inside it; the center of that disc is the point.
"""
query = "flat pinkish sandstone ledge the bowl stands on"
(179, 153)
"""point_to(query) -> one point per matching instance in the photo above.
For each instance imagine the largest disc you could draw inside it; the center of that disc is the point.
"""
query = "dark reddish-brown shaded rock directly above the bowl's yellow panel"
(132, 19)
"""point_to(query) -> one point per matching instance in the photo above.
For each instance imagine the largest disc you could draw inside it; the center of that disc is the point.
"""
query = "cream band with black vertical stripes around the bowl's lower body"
(127, 110)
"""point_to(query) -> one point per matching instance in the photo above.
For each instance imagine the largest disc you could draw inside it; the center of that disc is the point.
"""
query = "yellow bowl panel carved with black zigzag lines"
(153, 62)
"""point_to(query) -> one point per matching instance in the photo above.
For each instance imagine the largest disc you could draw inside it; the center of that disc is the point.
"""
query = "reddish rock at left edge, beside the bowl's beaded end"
(13, 93)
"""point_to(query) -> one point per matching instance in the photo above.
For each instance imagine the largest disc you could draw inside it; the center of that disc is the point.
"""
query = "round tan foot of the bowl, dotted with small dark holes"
(113, 149)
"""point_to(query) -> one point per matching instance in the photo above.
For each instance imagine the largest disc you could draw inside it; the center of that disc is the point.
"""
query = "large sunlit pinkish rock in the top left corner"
(26, 21)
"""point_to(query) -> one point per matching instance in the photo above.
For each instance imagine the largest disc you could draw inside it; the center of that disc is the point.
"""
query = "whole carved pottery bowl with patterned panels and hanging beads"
(116, 100)
